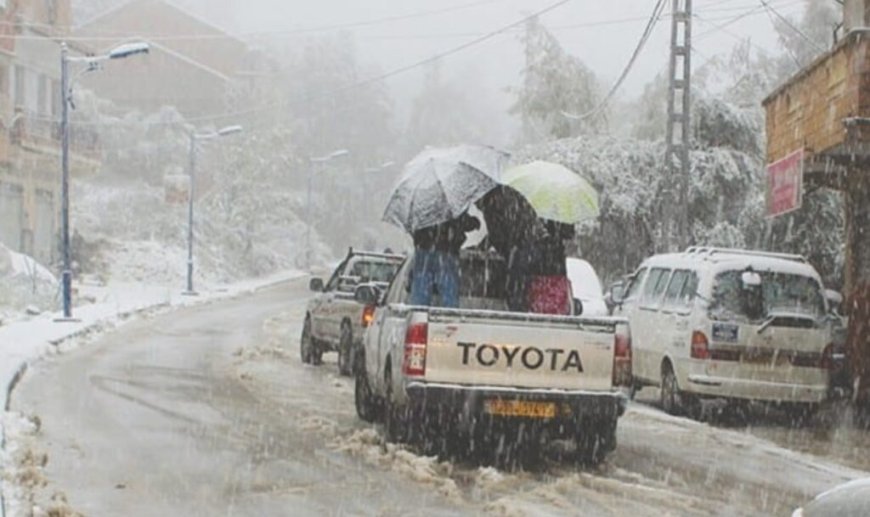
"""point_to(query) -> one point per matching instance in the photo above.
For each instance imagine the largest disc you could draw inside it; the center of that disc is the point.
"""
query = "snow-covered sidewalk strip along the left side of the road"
(23, 342)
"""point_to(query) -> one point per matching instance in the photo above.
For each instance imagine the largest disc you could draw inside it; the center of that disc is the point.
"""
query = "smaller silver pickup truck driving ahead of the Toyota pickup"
(334, 320)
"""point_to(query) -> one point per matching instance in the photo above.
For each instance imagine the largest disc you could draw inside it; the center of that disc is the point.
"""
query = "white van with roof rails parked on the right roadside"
(726, 323)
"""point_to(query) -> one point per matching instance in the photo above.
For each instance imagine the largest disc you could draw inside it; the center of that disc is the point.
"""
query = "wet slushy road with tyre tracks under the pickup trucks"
(209, 411)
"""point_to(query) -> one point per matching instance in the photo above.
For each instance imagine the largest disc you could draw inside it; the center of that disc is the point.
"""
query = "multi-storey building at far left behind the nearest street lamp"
(30, 102)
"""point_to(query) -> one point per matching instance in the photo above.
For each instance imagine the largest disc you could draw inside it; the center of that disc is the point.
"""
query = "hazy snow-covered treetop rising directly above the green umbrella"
(557, 88)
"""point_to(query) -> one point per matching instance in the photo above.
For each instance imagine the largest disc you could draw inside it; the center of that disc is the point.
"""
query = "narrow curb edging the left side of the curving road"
(112, 322)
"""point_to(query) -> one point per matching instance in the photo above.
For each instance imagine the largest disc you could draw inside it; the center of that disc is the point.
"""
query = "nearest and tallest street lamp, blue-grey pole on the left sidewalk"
(92, 63)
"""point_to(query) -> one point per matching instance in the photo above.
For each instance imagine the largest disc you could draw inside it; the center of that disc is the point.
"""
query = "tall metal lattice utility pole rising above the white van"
(677, 166)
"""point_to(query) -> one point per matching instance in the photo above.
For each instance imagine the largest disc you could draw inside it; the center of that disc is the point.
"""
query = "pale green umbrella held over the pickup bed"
(555, 192)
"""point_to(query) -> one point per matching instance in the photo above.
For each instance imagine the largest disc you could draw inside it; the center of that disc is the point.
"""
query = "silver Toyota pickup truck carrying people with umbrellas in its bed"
(479, 370)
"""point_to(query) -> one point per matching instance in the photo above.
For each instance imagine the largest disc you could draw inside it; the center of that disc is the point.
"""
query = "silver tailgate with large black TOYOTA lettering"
(519, 350)
